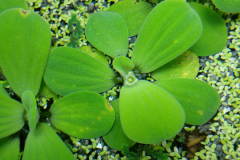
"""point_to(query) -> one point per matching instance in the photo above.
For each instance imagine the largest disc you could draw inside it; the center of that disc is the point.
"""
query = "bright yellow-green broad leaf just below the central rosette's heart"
(148, 113)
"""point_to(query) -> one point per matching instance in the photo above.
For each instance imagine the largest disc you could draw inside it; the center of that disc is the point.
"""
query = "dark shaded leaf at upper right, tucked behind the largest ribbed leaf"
(214, 34)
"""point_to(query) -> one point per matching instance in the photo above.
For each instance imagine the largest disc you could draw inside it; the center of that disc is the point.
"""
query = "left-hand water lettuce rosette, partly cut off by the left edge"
(25, 44)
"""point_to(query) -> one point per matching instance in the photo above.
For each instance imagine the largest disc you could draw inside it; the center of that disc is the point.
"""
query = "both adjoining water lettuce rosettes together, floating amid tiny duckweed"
(171, 36)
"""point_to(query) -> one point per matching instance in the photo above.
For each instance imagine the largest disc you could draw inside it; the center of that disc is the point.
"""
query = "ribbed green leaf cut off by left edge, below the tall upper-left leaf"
(11, 113)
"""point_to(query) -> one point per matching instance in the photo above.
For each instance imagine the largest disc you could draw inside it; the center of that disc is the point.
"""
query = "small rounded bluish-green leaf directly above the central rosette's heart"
(108, 32)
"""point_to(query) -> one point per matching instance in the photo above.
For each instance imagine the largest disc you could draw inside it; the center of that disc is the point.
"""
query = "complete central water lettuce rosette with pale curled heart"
(148, 112)
